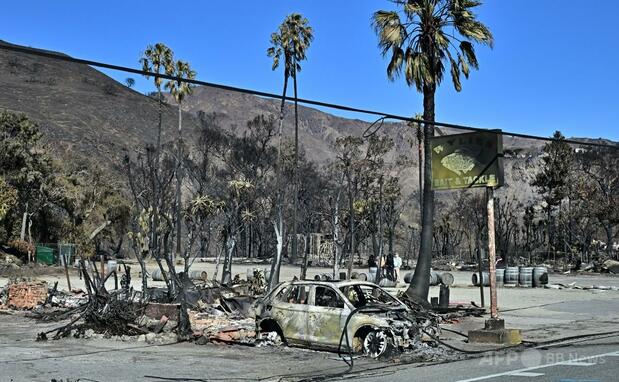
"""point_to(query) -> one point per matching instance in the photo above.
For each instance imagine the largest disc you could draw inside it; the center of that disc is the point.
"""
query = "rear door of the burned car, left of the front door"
(291, 313)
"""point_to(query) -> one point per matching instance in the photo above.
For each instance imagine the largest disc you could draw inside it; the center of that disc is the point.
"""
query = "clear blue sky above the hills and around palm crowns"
(553, 66)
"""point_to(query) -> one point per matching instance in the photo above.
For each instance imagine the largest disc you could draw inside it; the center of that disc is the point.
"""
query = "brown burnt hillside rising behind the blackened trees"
(84, 113)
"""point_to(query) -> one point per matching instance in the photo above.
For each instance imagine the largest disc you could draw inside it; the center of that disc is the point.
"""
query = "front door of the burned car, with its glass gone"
(327, 315)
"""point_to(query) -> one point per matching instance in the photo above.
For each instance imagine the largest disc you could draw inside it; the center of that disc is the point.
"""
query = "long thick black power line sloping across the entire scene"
(62, 57)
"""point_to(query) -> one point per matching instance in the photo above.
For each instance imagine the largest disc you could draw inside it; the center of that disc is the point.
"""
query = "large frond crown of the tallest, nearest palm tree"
(420, 27)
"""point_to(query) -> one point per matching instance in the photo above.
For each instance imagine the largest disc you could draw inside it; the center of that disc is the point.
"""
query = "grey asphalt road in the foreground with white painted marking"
(23, 359)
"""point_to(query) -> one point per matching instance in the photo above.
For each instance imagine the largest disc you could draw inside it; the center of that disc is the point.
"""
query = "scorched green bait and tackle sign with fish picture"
(467, 160)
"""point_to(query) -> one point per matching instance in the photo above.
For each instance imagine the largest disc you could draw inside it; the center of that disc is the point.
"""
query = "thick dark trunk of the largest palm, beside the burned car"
(420, 284)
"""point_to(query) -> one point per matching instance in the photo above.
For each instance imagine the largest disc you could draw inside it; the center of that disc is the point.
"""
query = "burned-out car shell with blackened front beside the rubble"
(345, 316)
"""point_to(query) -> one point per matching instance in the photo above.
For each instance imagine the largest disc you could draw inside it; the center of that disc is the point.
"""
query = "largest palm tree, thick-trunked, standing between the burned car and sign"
(420, 37)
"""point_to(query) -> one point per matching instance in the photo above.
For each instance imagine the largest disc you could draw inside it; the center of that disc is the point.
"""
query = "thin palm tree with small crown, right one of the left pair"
(179, 90)
